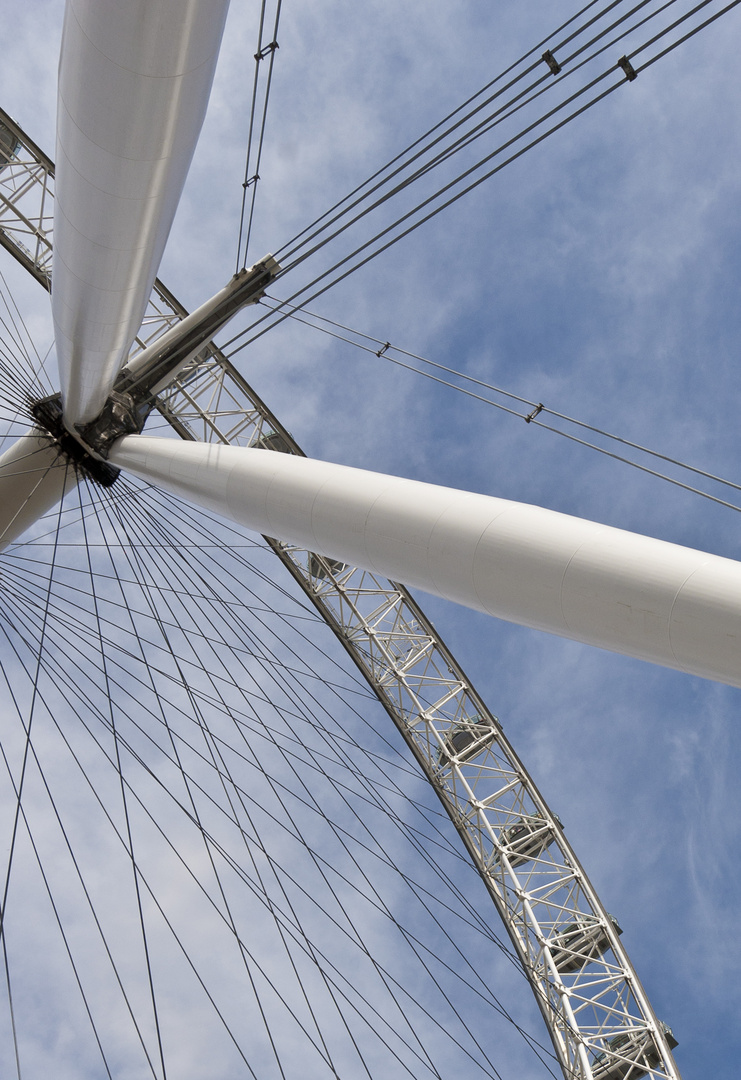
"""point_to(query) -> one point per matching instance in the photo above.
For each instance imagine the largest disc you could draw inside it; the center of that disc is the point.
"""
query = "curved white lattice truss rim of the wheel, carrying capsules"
(518, 845)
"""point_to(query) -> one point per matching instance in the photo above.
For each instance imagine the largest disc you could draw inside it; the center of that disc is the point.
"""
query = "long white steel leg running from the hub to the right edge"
(632, 595)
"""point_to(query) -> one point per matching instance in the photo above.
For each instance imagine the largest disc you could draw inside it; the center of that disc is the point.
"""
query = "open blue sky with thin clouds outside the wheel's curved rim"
(598, 275)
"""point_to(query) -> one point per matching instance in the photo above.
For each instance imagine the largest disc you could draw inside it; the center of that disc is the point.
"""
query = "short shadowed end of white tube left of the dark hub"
(33, 480)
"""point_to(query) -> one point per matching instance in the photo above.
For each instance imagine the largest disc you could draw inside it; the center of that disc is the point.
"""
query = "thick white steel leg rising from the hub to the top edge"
(134, 85)
